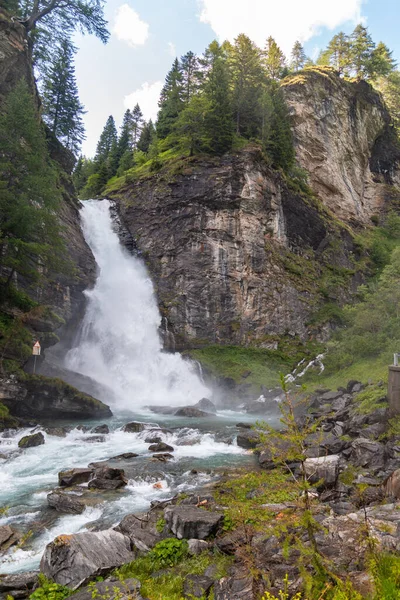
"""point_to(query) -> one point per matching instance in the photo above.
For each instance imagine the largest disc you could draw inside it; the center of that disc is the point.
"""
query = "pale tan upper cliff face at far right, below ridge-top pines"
(343, 140)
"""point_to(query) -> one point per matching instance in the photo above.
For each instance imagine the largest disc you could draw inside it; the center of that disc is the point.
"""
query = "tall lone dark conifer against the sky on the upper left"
(62, 109)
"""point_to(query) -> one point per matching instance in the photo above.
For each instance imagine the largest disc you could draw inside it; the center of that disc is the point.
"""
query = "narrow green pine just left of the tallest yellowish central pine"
(218, 121)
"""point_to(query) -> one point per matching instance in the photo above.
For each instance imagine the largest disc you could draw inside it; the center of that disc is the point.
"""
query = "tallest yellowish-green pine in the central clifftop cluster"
(247, 79)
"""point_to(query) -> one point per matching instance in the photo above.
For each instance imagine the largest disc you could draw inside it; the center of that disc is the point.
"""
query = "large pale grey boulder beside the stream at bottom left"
(72, 560)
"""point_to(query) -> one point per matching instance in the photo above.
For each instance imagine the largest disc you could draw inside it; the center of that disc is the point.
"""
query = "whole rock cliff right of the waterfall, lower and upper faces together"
(241, 254)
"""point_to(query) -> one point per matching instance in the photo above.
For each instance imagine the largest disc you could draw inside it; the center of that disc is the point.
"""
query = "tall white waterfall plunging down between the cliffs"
(119, 345)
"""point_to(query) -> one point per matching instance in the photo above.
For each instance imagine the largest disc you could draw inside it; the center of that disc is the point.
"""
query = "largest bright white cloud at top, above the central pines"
(286, 20)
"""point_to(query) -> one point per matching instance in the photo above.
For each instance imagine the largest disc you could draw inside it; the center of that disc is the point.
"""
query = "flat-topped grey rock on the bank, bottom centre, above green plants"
(189, 522)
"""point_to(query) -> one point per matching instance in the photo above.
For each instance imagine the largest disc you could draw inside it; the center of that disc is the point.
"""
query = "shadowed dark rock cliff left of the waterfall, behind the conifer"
(61, 296)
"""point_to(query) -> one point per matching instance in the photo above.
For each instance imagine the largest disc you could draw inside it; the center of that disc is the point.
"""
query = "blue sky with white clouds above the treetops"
(147, 35)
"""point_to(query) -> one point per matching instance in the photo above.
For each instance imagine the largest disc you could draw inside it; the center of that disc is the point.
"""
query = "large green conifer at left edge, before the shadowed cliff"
(29, 194)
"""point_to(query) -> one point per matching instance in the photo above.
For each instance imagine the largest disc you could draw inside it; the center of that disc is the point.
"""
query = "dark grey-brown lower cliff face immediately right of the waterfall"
(234, 253)
